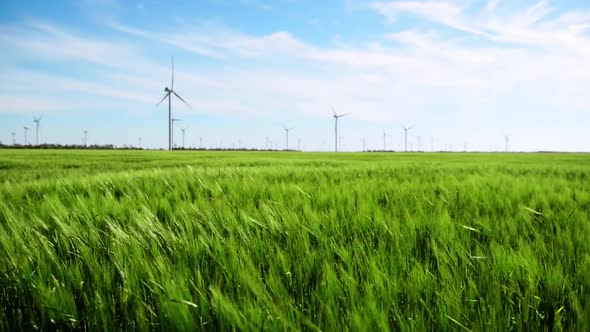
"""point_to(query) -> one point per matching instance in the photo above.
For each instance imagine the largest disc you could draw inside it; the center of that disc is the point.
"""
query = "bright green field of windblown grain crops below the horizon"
(110, 240)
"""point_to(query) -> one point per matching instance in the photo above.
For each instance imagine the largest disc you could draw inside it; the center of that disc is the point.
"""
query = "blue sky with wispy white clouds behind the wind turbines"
(464, 72)
